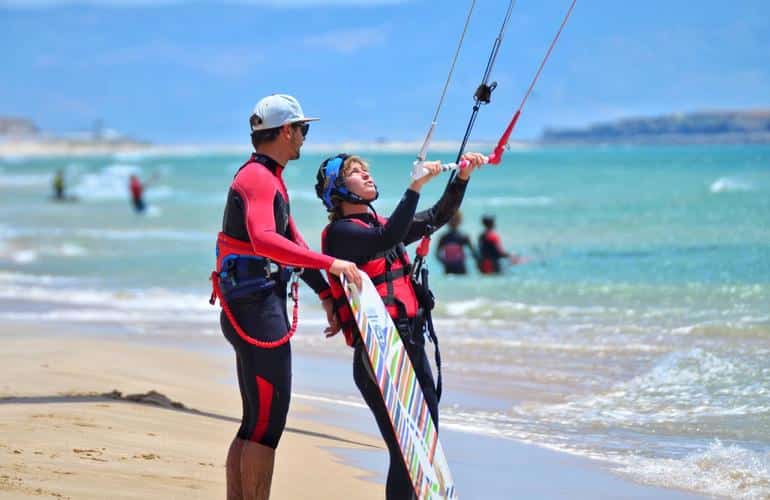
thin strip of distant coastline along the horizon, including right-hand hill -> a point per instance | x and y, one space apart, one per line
21 137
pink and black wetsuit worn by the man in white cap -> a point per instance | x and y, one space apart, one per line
257 212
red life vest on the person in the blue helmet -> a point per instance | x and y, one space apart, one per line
389 271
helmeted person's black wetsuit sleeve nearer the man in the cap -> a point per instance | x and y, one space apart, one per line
357 243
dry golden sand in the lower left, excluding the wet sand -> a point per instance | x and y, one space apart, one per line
61 437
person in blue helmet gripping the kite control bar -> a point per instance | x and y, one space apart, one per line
377 246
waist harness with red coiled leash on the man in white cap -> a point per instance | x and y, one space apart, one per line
241 273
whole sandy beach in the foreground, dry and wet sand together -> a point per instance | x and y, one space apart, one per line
72 428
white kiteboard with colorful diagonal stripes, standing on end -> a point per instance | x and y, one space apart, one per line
403 397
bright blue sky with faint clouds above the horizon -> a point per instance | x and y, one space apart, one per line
190 72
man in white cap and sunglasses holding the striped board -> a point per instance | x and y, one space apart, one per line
259 251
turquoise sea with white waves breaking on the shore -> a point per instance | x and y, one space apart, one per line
638 332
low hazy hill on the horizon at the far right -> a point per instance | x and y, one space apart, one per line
705 127
